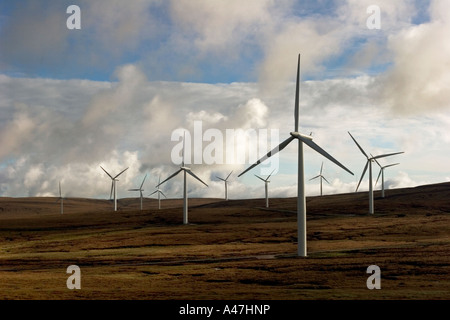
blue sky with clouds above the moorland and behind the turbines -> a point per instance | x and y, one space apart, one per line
120 91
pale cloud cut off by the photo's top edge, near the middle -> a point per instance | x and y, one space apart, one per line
223 27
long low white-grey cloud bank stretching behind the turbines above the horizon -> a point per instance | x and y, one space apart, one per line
55 138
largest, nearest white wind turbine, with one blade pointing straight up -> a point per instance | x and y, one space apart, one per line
301 201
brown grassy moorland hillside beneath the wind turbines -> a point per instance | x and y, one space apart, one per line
231 250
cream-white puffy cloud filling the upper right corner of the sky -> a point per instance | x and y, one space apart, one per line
418 80
